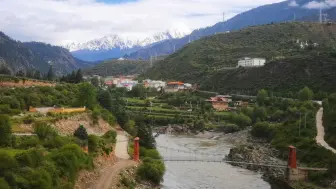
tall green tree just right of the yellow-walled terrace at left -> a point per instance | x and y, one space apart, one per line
86 95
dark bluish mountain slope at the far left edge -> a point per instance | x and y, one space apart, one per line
36 56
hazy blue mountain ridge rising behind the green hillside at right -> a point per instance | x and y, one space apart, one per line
277 12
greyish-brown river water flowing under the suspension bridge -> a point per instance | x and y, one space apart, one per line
199 175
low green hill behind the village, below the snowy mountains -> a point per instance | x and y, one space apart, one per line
118 67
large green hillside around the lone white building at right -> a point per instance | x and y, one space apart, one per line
203 61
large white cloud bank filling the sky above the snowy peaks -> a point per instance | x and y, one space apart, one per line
61 21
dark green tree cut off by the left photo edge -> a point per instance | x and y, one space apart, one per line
5 131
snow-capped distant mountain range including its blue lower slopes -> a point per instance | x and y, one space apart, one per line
114 46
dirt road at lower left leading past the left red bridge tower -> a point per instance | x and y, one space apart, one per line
110 176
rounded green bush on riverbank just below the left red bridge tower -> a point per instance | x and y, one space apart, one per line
151 170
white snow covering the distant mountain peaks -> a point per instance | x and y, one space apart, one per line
123 42
